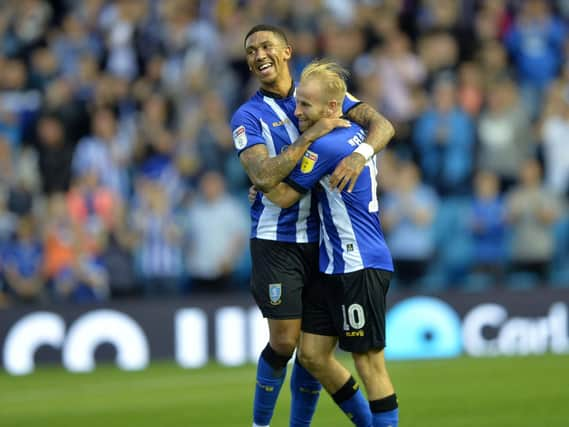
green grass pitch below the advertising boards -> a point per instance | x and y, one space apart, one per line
501 392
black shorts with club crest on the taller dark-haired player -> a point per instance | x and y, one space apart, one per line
281 271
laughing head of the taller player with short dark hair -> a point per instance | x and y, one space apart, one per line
267 57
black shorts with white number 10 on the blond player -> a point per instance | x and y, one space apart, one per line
349 306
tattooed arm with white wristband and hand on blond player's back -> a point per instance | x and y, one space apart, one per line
379 133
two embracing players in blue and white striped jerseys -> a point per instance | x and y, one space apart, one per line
315 174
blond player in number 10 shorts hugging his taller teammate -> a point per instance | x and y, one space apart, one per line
348 305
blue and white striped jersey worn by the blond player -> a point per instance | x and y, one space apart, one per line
351 236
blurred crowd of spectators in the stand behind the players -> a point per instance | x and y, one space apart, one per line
118 176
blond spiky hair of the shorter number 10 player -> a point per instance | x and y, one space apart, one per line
331 76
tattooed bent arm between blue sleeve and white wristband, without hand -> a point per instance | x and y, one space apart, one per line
379 129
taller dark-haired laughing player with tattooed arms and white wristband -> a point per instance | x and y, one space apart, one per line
284 242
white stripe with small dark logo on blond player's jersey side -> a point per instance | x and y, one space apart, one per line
341 219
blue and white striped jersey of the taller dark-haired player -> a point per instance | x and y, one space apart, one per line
268 119
